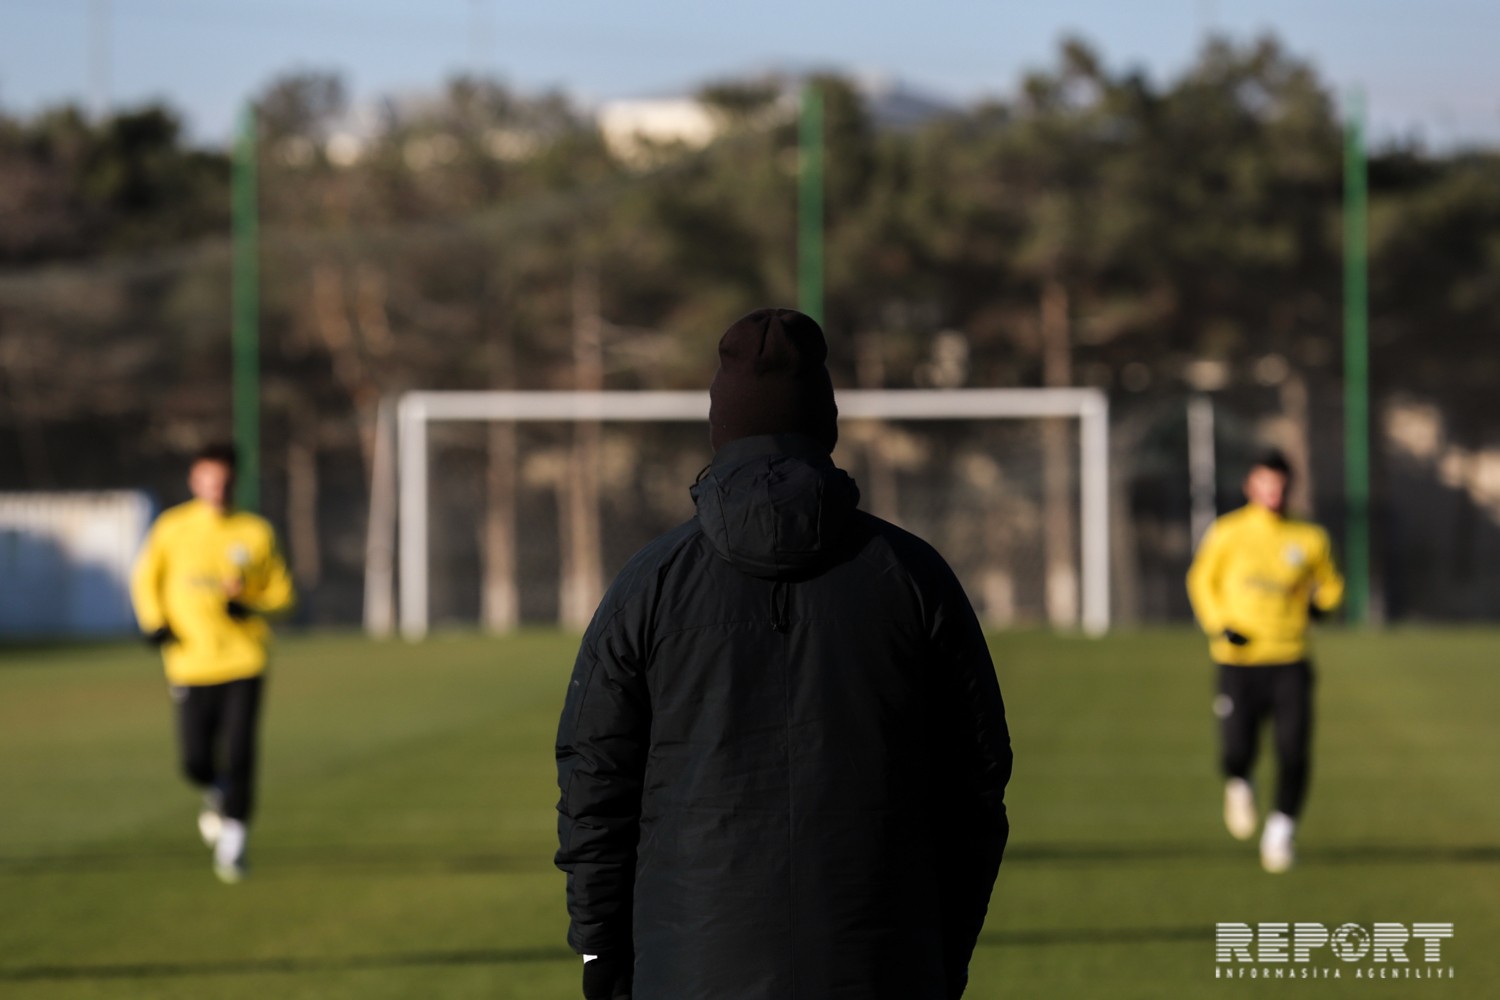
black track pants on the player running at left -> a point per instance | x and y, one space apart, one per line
217 728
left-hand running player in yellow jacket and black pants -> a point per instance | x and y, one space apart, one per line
203 587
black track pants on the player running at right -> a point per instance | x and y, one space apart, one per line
1285 693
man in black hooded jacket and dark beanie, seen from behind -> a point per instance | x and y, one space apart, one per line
784 752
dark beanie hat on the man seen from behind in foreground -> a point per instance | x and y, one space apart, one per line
773 380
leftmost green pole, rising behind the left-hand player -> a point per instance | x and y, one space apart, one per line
245 307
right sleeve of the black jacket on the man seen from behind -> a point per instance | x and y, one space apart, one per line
973 713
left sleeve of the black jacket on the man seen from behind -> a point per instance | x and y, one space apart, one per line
601 753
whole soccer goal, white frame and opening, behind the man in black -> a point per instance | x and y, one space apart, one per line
520 506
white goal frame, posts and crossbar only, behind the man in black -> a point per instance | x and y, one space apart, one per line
419 410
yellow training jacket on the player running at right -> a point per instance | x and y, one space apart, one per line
1256 573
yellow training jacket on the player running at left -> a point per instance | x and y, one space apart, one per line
191 552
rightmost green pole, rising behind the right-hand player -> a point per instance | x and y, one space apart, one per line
1357 364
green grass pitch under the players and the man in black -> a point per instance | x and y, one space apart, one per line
406 831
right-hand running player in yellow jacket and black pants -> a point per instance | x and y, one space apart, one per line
1256 581
